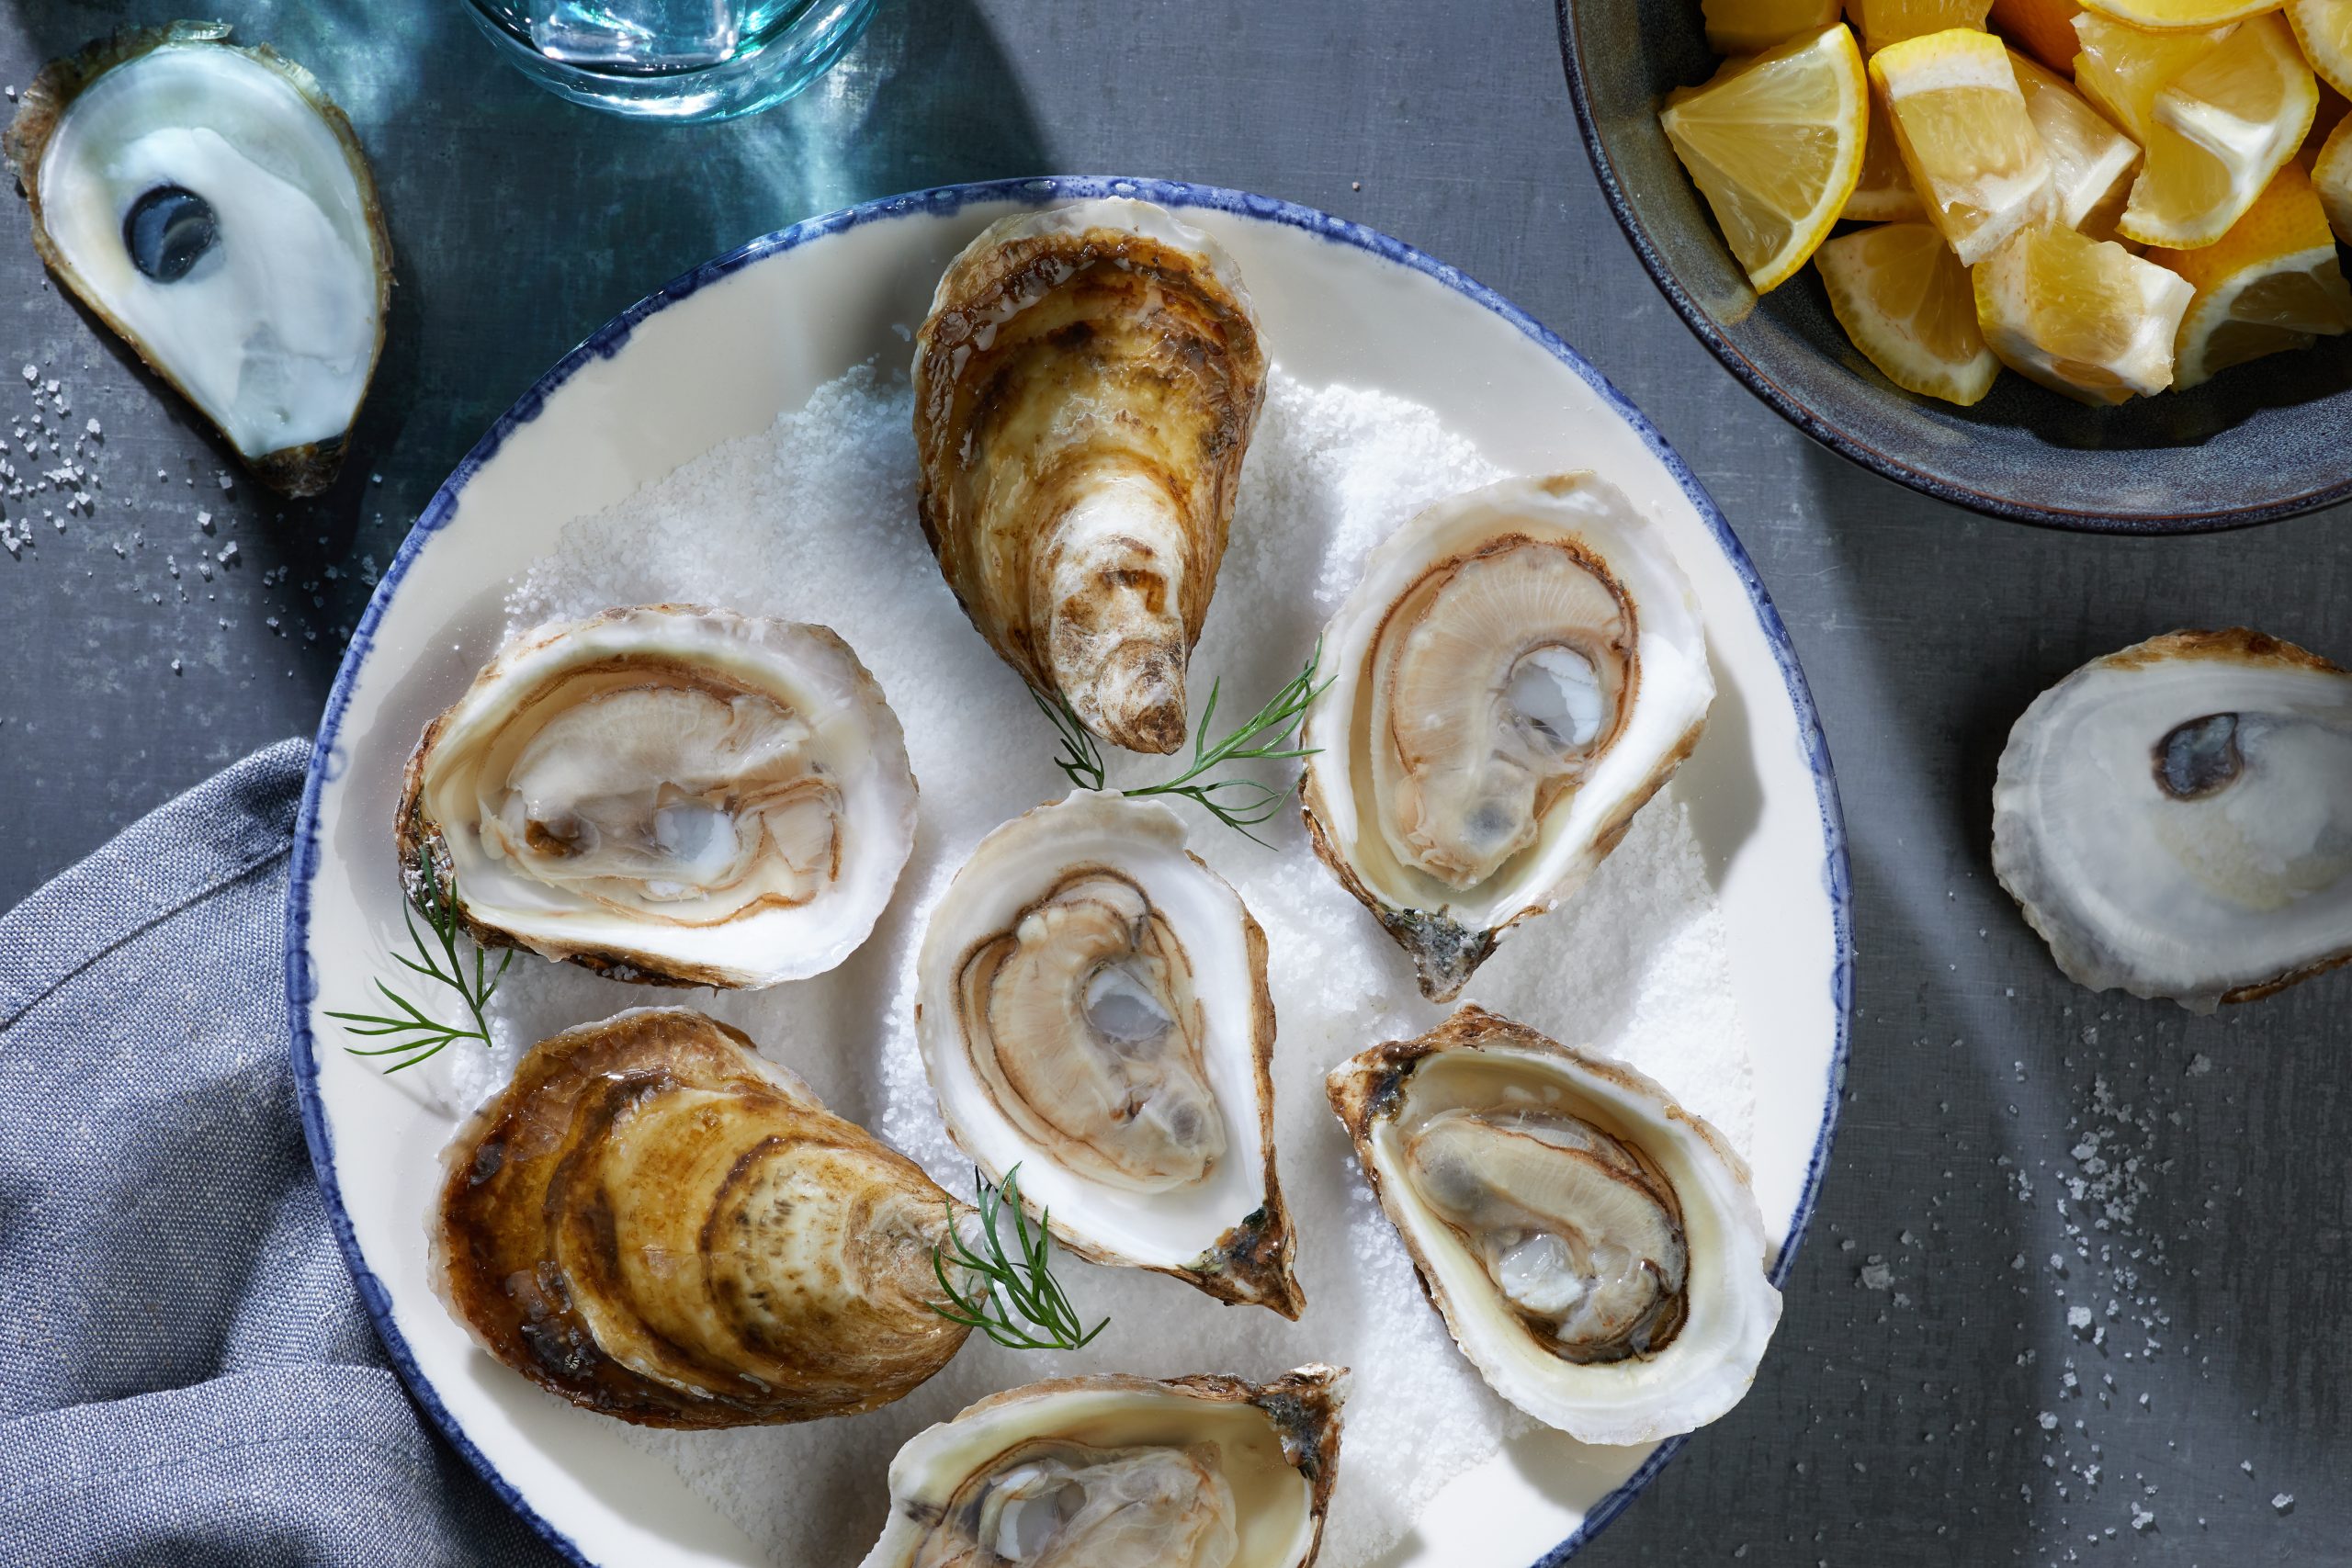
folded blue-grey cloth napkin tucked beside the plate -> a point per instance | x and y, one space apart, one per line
187 1376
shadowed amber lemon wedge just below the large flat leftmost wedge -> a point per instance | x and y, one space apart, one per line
1904 300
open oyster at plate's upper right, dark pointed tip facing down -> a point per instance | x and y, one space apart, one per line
1516 676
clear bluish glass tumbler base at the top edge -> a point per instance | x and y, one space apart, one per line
674 60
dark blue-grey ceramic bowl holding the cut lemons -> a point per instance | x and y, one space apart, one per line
2259 443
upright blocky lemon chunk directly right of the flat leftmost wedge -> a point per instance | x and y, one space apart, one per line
1965 135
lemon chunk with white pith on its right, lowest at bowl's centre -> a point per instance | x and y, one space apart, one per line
2080 316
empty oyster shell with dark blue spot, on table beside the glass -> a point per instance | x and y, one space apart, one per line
215 210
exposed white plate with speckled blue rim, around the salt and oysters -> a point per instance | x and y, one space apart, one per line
719 356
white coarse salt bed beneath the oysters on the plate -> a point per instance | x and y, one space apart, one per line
815 521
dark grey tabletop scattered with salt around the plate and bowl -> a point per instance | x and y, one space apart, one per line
2012 1146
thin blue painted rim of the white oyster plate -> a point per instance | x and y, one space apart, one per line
947 201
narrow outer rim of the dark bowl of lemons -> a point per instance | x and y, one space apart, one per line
1833 436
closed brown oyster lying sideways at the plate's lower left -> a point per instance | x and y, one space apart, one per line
662 1226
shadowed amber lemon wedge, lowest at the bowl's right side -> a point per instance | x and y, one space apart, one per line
2269 286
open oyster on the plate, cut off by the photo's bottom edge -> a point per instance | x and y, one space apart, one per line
1123 1473
